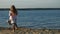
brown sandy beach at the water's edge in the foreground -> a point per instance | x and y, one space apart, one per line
22 30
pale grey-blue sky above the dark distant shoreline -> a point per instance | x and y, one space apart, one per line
30 3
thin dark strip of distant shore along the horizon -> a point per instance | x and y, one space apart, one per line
32 8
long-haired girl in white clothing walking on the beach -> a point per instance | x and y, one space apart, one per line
13 17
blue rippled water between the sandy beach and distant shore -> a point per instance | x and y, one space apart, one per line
33 18
